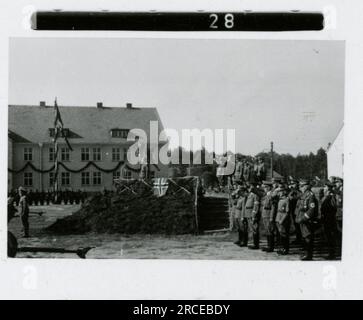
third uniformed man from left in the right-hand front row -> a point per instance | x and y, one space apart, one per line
268 218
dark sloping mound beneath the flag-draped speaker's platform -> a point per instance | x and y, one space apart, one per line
134 209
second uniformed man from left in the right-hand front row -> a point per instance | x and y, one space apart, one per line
251 213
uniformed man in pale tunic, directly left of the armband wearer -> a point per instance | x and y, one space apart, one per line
283 220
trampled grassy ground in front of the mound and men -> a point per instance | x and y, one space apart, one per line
114 246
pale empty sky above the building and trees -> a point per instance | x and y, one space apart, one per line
288 92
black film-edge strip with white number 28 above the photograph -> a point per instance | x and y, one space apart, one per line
181 21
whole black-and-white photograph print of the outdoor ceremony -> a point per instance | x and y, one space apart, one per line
151 148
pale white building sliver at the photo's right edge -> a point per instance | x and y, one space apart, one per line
335 155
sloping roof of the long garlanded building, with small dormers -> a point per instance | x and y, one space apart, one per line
86 124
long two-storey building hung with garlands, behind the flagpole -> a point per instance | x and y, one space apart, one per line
98 137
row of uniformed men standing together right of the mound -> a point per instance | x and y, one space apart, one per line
282 204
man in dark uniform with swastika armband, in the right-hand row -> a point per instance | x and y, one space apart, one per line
306 217
